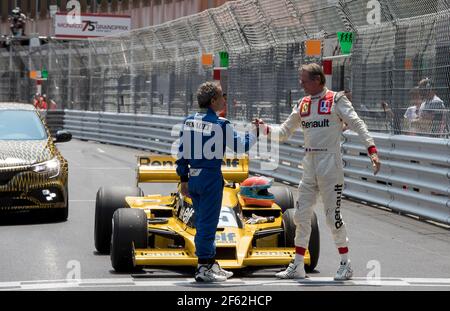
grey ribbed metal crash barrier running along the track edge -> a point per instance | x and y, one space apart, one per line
414 177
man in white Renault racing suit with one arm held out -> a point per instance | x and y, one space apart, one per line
321 115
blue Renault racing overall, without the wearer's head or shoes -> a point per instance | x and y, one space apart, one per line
203 140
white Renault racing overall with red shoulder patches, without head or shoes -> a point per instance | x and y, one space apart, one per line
321 117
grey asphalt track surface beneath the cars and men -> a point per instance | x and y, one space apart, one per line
40 255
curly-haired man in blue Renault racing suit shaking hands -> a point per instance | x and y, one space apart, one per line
203 140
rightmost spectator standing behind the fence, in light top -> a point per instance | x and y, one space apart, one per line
432 110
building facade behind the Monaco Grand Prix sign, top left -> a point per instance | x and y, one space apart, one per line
143 12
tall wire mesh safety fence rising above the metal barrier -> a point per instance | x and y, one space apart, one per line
156 70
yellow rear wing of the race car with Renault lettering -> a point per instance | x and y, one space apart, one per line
162 169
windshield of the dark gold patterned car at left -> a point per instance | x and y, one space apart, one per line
21 125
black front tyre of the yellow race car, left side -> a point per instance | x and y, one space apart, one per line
129 227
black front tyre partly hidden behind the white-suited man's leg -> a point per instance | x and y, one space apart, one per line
288 240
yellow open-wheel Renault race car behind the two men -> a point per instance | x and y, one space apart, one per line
154 230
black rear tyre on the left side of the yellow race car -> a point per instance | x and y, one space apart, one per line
108 200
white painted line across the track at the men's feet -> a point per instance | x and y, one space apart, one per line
189 282
